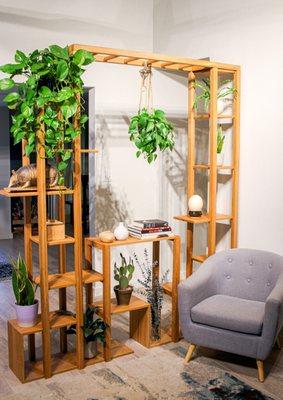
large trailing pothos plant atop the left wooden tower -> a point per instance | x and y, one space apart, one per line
49 94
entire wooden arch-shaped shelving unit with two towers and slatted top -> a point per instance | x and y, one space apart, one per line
49 364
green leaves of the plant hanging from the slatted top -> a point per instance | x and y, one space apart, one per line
150 132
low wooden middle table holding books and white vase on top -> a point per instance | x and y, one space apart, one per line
138 316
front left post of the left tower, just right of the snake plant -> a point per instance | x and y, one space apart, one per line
43 255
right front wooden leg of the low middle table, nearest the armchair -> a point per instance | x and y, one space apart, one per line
175 283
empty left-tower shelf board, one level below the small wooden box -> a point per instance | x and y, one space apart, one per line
58 281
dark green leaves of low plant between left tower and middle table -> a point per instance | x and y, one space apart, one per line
94 327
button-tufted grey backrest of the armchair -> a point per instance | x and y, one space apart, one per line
245 273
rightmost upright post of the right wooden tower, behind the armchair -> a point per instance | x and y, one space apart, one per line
236 140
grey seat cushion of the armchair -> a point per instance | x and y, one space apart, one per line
231 313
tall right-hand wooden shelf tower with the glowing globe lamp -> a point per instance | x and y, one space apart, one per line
212 217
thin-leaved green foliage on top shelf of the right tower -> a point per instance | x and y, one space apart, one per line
204 86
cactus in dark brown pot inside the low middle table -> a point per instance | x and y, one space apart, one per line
123 275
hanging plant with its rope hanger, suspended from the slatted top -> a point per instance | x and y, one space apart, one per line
149 129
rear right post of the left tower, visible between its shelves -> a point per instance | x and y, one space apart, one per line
62 270
